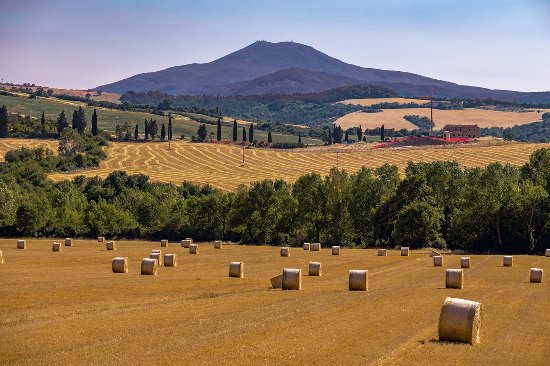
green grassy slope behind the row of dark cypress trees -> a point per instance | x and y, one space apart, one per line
108 119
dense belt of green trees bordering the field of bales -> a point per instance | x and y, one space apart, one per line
497 209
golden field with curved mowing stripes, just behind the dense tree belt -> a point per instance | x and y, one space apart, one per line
220 165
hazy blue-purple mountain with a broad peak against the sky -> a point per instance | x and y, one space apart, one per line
288 67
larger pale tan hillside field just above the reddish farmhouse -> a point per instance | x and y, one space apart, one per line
393 118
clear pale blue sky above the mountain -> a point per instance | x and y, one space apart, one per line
498 44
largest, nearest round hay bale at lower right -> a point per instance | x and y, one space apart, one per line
460 321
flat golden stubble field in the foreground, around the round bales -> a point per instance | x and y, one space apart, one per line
69 308
